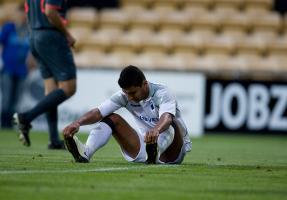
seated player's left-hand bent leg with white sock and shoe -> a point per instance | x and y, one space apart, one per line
115 125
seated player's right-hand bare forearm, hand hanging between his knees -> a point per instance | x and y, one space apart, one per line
163 124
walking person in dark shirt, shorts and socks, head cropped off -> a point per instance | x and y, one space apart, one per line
50 43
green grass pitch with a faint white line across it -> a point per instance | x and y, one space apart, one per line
218 167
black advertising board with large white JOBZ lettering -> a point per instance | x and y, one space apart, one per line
245 106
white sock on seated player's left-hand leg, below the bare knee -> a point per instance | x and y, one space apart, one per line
98 137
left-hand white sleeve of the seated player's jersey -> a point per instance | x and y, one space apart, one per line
115 102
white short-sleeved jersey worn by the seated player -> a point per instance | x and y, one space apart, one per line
147 112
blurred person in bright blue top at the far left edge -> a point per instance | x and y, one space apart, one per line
15 55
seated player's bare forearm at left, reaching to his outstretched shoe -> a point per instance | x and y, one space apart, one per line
90 117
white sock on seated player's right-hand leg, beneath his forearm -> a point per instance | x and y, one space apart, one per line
165 139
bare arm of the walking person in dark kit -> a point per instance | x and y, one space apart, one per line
55 19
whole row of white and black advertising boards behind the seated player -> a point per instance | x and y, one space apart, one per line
208 105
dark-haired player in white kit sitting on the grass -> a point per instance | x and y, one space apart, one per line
162 136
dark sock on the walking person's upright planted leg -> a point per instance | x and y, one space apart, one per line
52 119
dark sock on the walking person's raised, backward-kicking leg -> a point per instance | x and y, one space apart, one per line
50 102
